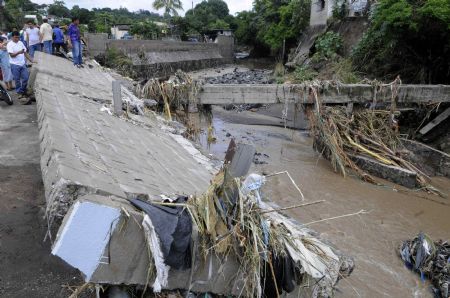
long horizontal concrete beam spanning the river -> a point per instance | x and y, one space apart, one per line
223 94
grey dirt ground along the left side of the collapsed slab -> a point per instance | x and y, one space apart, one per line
27 269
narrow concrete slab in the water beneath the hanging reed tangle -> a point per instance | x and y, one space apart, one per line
392 173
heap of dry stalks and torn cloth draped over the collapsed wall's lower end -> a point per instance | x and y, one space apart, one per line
232 221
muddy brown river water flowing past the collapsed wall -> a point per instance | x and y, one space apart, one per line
372 239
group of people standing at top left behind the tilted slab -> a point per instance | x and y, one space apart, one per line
17 47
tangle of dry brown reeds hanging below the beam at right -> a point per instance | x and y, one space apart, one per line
344 136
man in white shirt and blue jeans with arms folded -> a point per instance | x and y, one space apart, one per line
18 52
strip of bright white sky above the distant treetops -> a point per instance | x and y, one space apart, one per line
133 5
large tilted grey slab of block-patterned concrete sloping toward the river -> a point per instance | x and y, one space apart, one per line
84 150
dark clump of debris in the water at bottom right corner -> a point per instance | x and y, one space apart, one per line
431 260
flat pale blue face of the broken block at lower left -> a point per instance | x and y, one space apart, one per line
85 236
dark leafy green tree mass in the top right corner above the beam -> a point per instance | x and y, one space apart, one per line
410 38
